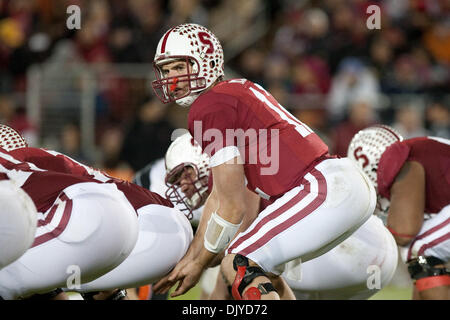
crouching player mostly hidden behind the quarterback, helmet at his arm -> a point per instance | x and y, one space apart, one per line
370 250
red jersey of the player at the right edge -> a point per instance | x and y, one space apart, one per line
433 154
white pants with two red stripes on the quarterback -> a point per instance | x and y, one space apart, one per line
334 199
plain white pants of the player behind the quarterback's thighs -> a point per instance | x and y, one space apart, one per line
357 268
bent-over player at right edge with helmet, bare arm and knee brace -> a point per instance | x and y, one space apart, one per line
412 179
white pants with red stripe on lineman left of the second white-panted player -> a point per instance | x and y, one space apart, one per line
89 230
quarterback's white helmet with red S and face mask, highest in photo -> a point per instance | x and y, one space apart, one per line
200 50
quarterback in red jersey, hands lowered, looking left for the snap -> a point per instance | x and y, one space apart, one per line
316 200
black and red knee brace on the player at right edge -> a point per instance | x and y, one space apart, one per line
425 273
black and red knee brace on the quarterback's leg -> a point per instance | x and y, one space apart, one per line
244 276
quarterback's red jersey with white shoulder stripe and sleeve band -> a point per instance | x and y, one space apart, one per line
238 117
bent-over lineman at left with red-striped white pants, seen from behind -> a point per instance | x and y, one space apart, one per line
75 219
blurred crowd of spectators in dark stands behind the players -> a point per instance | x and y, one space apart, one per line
318 58
